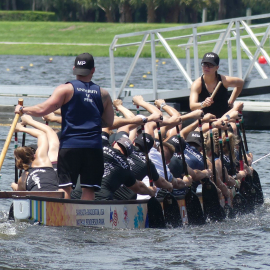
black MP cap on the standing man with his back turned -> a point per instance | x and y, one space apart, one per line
83 64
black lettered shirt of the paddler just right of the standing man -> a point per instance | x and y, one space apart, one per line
116 173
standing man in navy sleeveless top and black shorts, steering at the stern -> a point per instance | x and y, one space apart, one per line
85 109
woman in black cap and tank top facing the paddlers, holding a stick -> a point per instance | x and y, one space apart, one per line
203 87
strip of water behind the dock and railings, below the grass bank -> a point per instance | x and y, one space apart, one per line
60 70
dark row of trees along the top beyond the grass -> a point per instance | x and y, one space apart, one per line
188 11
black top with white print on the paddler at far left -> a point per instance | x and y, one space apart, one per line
42 179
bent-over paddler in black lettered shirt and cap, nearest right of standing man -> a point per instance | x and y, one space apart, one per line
117 171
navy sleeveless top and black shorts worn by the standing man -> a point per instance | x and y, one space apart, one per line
80 142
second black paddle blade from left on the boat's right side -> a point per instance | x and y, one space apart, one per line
171 211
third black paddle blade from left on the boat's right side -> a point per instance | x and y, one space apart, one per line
194 209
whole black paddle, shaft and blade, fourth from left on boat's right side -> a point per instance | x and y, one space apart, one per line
211 202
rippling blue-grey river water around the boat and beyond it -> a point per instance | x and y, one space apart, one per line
241 243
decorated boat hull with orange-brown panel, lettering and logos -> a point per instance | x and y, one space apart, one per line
105 214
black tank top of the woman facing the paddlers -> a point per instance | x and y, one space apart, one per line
220 105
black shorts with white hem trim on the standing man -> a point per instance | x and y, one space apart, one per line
86 162
